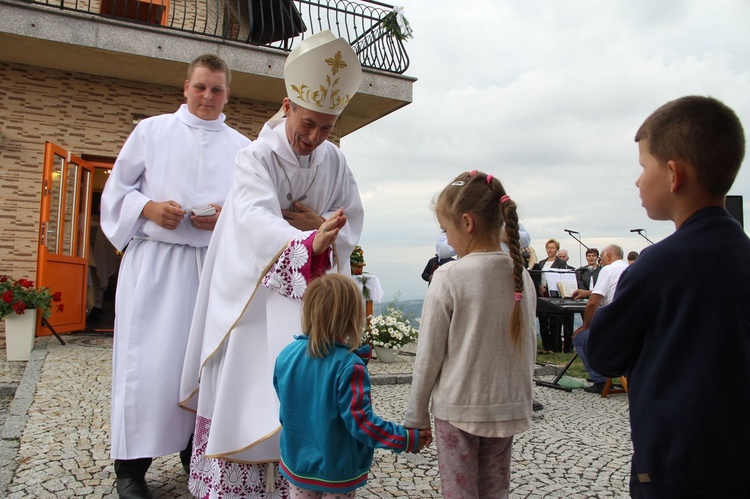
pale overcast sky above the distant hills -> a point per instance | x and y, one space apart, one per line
547 96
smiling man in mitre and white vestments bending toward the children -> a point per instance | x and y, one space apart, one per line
294 213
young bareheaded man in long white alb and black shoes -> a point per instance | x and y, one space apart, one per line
170 165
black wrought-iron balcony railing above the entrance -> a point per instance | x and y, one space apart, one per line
272 23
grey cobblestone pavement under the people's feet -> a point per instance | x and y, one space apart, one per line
56 433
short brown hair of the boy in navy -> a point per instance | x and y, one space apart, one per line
702 131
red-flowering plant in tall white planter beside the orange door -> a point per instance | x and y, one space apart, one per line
19 302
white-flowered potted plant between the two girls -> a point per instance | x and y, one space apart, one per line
389 331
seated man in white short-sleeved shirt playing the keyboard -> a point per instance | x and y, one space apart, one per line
612 267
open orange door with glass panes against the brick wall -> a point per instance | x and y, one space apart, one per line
62 264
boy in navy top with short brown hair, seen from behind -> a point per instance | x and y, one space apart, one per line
680 323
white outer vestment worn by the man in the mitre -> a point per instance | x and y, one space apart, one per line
240 324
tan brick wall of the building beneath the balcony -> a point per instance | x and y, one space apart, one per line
88 115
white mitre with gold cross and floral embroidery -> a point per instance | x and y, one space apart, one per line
322 73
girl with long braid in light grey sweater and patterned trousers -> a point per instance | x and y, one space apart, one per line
477 341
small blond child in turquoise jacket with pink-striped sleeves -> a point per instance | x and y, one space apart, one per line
329 430
